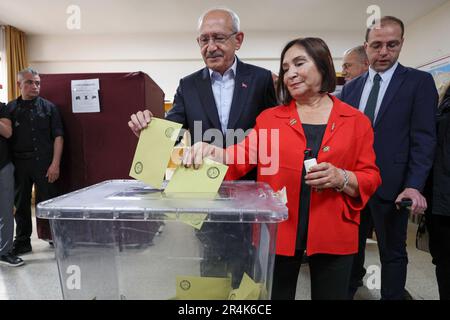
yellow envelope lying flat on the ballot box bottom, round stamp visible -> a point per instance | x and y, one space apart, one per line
202 288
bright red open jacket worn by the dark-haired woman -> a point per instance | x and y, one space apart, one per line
347 143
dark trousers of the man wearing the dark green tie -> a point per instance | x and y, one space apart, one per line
391 226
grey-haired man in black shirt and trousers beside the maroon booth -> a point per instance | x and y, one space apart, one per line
37 144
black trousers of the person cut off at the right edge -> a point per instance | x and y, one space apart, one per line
439 230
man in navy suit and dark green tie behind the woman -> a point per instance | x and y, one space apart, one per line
401 103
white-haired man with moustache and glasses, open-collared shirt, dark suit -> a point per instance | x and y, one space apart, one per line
225 95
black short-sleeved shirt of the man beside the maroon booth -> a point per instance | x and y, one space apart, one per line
36 124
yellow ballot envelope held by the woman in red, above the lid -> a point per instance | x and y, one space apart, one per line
205 180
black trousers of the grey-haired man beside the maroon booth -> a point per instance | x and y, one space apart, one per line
29 172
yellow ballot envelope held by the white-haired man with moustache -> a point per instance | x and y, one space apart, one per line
153 151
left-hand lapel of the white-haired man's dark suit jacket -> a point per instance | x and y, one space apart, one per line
208 103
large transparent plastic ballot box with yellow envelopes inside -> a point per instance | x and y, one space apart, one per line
193 246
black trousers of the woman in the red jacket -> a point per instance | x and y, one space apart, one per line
330 276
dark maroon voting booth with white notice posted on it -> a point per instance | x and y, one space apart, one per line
98 145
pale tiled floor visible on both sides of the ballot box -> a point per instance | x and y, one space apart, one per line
39 279
